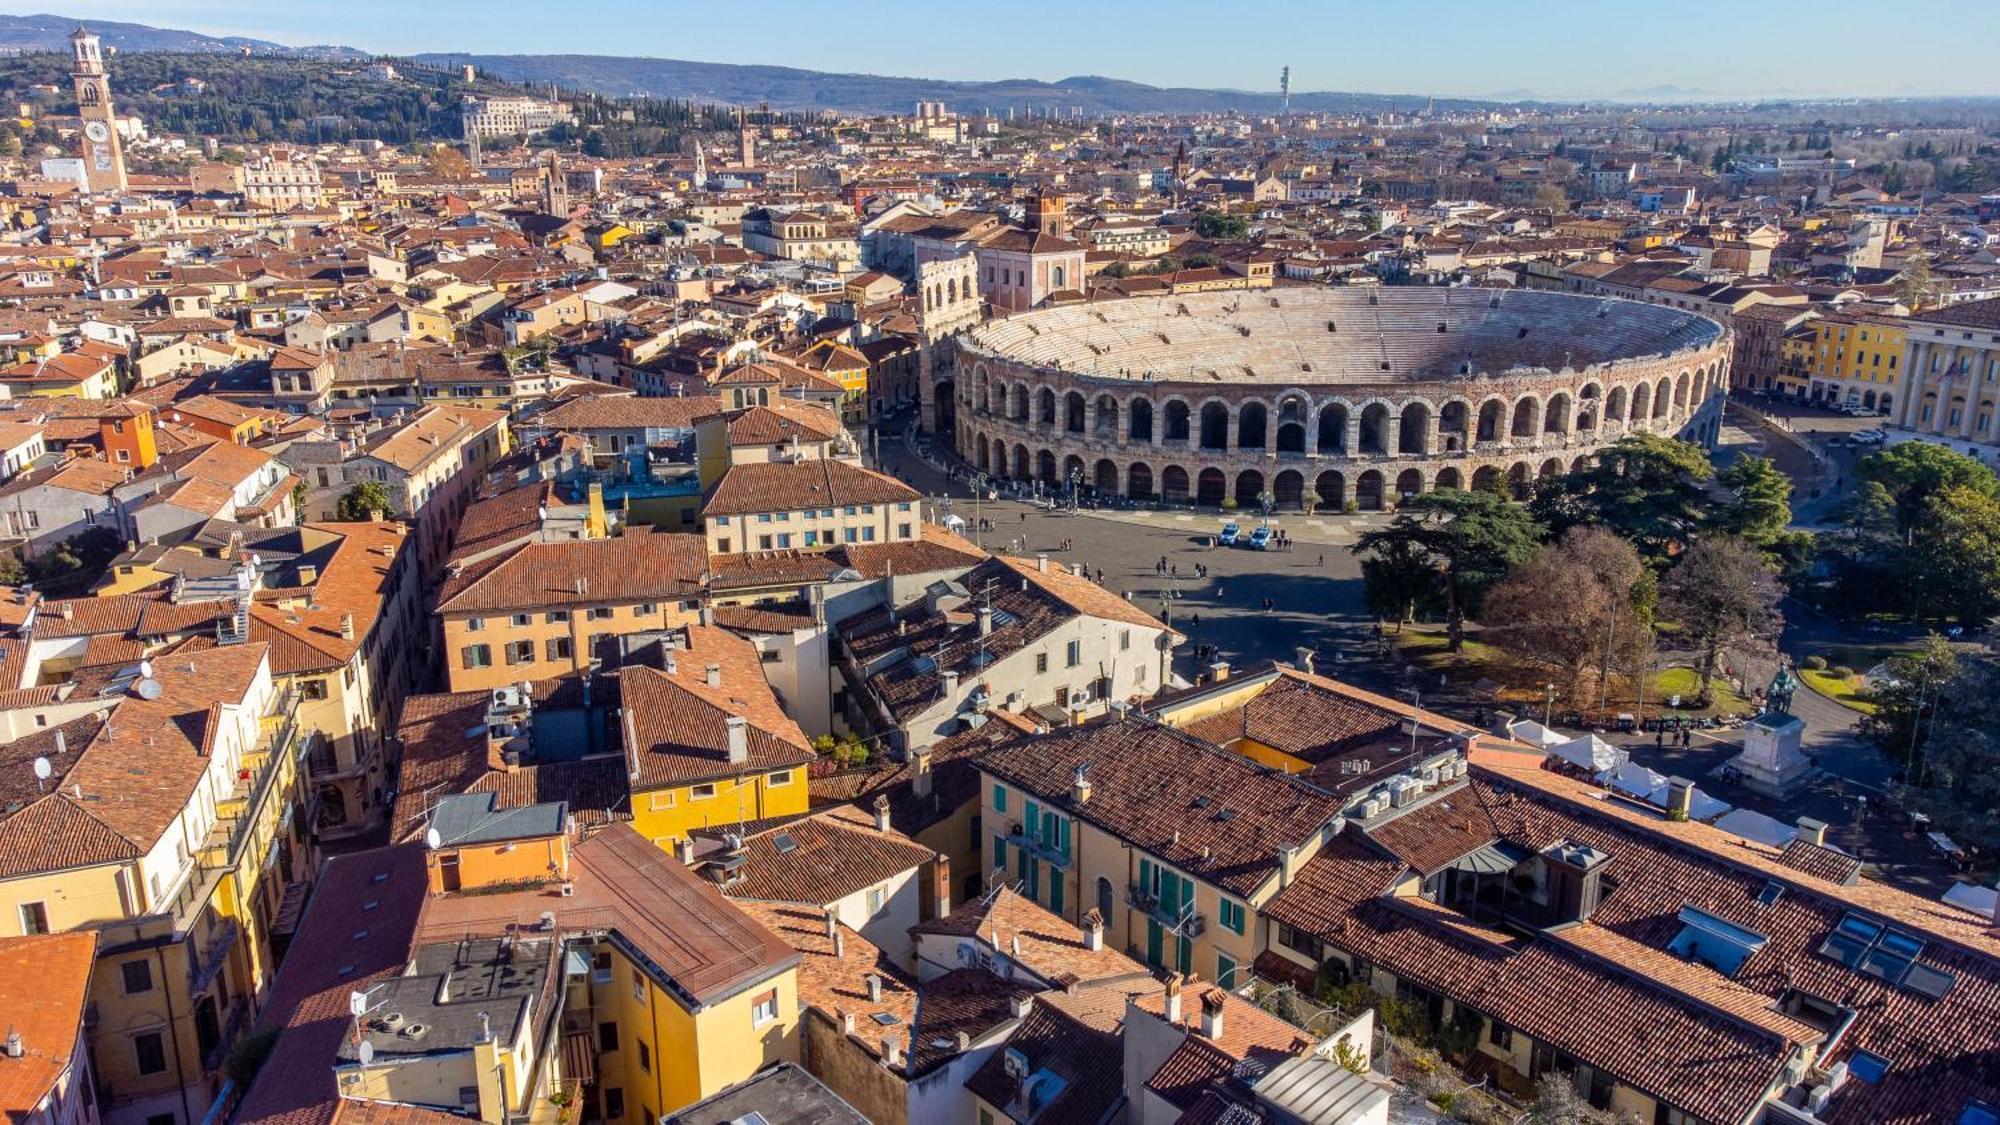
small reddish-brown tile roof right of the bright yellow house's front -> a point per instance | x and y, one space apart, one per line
829 858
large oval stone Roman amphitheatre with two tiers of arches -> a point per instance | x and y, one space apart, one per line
1339 397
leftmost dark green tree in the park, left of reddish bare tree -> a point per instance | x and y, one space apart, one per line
1467 539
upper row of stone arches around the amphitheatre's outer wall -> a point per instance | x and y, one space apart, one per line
1297 425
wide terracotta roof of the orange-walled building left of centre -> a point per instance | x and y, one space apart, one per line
635 568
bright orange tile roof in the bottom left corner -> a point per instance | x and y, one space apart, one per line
43 986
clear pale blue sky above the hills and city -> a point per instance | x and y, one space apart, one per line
1443 47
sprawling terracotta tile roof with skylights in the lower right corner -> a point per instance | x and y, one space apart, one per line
1611 994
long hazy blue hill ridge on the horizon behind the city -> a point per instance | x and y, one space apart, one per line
789 89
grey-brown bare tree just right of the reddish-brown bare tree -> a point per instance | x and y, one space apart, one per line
1723 598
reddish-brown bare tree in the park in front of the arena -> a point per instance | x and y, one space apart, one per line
1581 604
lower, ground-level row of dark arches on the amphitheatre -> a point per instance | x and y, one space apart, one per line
1289 489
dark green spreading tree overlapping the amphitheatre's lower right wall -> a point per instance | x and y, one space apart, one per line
1647 489
